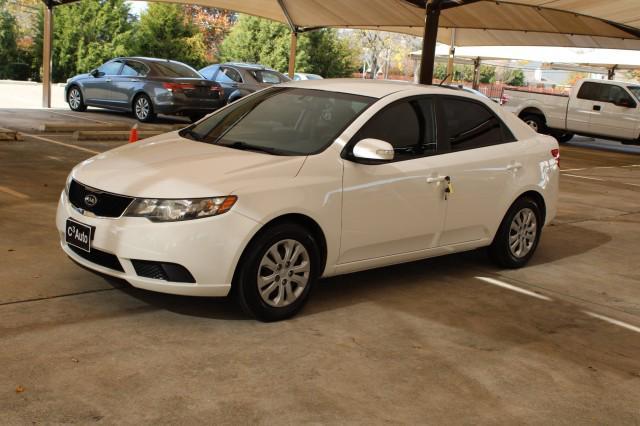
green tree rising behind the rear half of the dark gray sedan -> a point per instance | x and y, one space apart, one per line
164 32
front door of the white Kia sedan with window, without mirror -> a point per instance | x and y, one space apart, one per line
396 207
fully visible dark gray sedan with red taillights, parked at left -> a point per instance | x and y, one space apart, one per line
146 87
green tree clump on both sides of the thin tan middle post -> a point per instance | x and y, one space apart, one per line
257 40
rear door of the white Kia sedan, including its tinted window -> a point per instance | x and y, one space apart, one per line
482 163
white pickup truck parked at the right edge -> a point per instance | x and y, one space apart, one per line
600 108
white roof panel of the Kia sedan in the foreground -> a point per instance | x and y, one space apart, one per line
372 88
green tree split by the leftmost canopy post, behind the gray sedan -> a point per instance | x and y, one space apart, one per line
86 34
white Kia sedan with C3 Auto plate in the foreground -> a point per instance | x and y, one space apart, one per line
307 180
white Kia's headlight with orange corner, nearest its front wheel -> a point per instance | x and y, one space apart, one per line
161 210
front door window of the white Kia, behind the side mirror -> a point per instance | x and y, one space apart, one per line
407 125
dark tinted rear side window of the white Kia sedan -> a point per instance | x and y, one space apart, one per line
471 125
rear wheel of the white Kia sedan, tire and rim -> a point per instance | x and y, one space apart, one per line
518 235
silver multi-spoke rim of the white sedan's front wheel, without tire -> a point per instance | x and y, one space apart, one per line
283 273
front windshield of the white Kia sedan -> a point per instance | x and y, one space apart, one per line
283 121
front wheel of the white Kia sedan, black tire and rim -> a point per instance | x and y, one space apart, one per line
277 272
